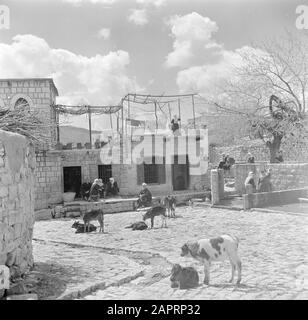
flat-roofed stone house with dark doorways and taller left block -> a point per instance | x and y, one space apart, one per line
59 171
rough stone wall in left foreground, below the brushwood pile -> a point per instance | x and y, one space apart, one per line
17 178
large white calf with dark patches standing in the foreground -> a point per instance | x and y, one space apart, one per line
215 249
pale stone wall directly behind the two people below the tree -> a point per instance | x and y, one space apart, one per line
284 175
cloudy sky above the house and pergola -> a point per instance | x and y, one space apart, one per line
98 50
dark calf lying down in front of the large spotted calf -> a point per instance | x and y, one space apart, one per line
184 277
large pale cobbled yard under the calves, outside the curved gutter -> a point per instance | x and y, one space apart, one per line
273 248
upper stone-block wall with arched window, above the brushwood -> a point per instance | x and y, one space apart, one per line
40 95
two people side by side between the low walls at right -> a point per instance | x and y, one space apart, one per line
264 182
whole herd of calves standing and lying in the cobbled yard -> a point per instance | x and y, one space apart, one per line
204 250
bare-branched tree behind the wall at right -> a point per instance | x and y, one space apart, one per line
270 90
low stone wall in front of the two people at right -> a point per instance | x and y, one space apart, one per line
265 199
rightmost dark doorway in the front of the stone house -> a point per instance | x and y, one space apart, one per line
180 173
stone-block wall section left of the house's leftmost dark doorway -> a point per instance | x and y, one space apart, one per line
48 186
